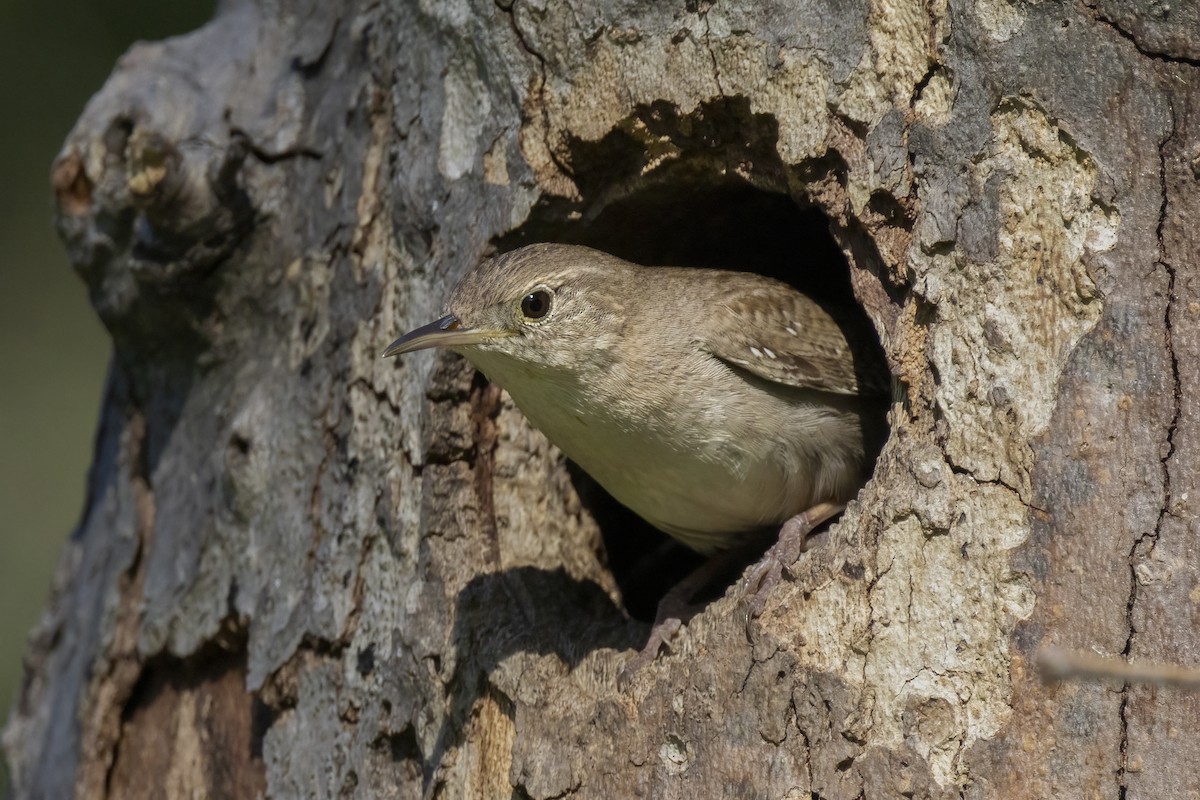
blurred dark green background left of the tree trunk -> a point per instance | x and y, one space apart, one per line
55 55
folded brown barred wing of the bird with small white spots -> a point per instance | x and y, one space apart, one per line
783 336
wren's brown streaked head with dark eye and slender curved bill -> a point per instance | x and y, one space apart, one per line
543 308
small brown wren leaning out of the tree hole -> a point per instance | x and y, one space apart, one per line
711 404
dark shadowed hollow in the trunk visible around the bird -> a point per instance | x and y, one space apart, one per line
704 222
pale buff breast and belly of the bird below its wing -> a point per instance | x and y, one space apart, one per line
701 482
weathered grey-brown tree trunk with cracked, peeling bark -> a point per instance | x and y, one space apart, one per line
309 573
